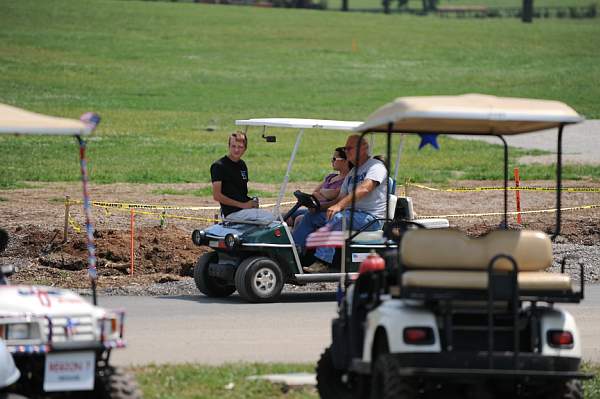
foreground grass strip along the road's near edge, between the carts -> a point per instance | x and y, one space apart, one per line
229 381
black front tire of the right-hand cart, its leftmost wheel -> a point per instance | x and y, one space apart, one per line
333 383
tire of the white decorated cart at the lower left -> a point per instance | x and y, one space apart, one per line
115 383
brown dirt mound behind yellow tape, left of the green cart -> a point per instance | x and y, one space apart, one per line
160 255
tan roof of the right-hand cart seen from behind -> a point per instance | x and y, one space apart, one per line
469 114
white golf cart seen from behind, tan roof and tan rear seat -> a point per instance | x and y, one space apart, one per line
444 315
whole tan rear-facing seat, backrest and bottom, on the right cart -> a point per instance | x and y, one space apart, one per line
447 263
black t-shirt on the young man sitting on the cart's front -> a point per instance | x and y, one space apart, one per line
234 181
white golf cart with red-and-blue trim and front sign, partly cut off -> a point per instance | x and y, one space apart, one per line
60 342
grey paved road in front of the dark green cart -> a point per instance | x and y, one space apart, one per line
199 329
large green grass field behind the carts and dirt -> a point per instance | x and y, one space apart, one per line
159 73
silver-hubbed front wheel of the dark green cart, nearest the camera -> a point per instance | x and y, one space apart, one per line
259 279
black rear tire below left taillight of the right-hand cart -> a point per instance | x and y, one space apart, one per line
387 382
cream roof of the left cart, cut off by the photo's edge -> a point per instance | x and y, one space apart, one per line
14 120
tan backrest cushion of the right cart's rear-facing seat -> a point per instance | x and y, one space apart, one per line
452 249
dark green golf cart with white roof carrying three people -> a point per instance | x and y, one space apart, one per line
258 259
